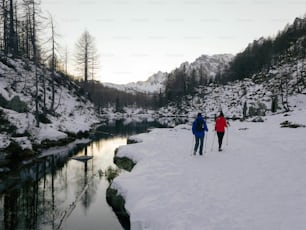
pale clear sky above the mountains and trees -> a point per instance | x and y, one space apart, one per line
137 38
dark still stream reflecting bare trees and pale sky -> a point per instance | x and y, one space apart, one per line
59 192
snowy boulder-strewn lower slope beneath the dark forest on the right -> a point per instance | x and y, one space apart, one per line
280 85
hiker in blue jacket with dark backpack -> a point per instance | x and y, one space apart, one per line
199 128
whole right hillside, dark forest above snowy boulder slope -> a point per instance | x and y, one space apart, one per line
264 78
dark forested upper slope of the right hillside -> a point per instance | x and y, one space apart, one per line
264 54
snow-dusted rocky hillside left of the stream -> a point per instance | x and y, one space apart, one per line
73 114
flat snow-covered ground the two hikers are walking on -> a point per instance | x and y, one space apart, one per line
257 182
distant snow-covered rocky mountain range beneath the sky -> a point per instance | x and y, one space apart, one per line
206 66
